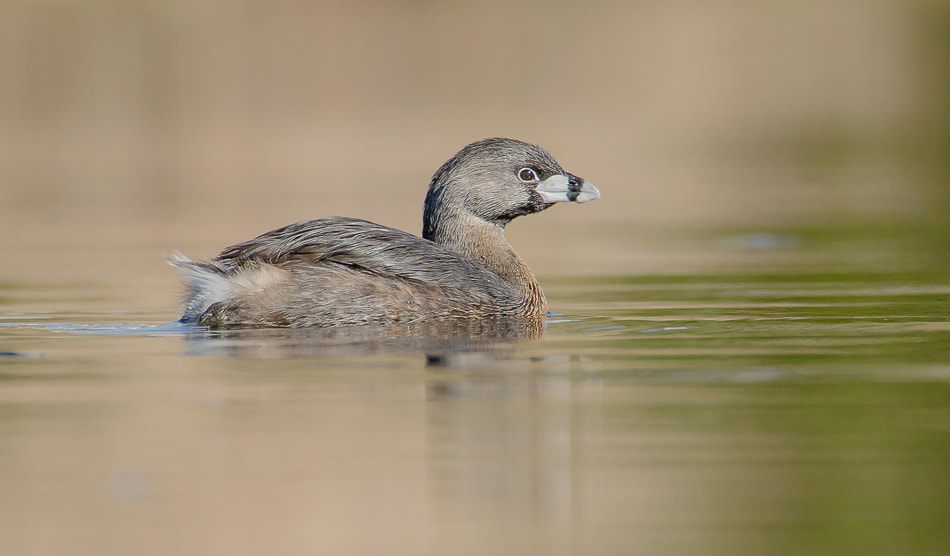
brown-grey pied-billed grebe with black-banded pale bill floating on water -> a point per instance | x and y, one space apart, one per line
340 271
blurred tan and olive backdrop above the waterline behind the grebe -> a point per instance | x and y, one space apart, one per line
129 129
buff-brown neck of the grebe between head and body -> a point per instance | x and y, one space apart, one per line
485 244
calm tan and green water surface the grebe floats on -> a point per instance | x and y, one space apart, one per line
708 414
